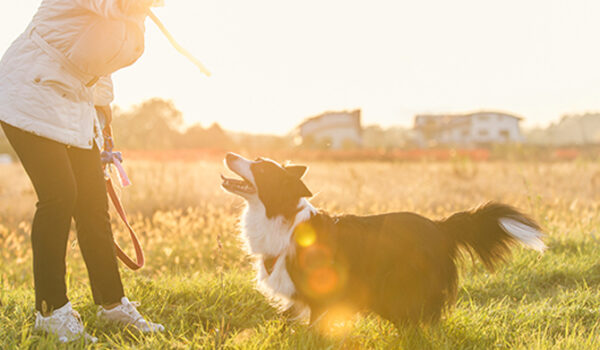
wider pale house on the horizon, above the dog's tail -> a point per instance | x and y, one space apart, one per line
471 129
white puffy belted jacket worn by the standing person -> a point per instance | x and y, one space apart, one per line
59 68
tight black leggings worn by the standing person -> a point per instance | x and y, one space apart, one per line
69 183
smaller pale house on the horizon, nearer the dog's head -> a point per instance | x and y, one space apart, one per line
332 130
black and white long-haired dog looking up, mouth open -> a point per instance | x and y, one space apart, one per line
399 265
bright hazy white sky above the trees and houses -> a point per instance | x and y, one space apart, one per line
277 62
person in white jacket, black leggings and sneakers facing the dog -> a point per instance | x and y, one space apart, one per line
52 79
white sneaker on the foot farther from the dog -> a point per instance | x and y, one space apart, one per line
65 323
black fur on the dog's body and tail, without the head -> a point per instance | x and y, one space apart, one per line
400 265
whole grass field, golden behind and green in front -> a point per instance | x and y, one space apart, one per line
198 281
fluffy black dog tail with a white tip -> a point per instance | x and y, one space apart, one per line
490 230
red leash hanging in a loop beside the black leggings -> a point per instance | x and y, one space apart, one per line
109 157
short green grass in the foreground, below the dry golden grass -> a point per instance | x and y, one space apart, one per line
533 303
